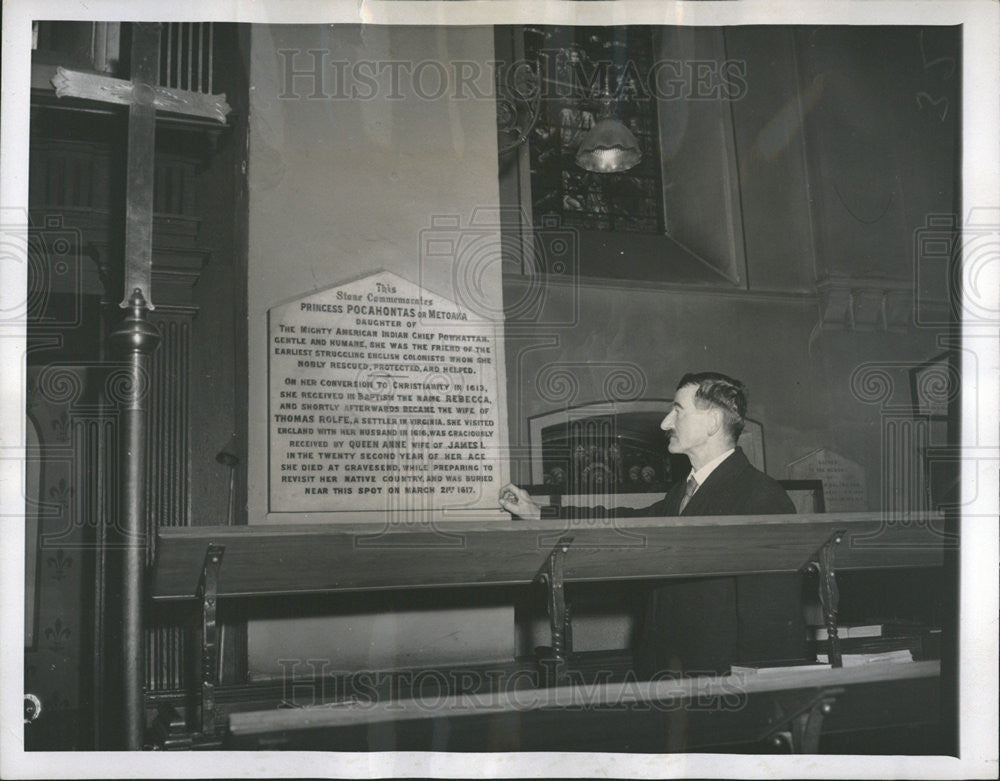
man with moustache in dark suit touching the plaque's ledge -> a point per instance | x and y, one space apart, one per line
704 625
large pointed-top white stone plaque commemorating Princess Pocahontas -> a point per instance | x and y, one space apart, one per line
383 395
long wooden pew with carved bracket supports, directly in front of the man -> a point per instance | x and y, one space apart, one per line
222 562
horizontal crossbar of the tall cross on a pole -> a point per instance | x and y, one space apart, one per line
91 86
